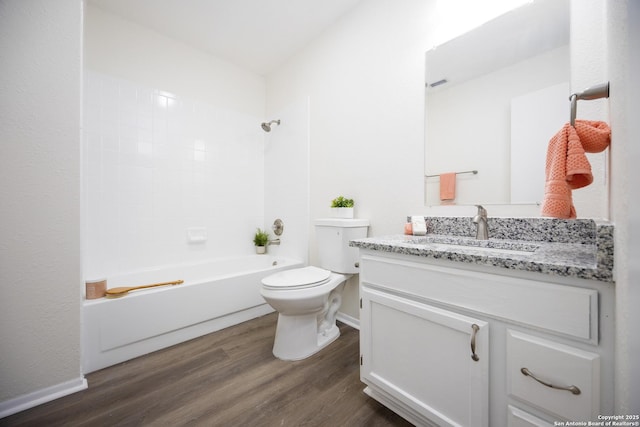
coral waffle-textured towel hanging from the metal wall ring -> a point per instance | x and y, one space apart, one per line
567 166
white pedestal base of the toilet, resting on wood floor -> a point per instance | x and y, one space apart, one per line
297 337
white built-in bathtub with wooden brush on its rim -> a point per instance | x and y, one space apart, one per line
214 295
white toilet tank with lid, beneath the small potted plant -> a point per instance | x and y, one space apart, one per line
332 239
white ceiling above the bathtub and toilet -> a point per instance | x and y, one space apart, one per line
255 34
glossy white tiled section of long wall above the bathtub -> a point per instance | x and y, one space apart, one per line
157 166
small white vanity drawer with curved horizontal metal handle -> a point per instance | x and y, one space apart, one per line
577 371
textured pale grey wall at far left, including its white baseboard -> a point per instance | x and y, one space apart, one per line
40 269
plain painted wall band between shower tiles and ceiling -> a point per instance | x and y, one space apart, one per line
124 50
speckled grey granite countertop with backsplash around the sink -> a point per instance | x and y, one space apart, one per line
572 248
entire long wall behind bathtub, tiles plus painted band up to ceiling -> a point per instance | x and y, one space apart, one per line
173 143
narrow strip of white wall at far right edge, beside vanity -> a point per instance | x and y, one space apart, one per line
623 59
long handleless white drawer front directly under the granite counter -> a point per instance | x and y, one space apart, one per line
566 310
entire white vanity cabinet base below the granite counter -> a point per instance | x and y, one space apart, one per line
449 345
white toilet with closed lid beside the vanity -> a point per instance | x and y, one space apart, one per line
307 299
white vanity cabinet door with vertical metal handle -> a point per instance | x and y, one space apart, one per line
419 357
